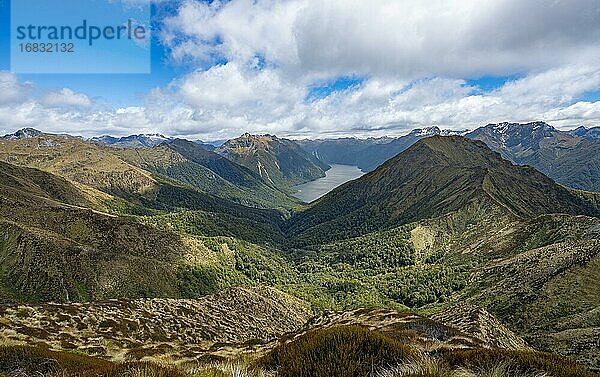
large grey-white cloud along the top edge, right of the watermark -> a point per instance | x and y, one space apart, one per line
404 38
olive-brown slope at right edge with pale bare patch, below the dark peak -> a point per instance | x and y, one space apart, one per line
538 276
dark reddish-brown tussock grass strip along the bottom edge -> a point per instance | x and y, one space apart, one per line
340 351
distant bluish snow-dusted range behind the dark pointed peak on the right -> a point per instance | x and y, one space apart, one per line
568 157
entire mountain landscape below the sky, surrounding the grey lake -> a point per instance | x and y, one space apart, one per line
456 251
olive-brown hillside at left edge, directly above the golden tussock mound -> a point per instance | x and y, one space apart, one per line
53 247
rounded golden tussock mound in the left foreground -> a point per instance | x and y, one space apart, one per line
216 325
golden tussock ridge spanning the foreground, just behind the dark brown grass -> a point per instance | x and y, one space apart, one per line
258 319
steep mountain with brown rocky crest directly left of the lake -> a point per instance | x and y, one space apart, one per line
279 162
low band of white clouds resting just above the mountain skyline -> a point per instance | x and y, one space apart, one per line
227 100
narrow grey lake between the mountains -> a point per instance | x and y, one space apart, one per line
334 177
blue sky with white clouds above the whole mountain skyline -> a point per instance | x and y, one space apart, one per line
328 68
